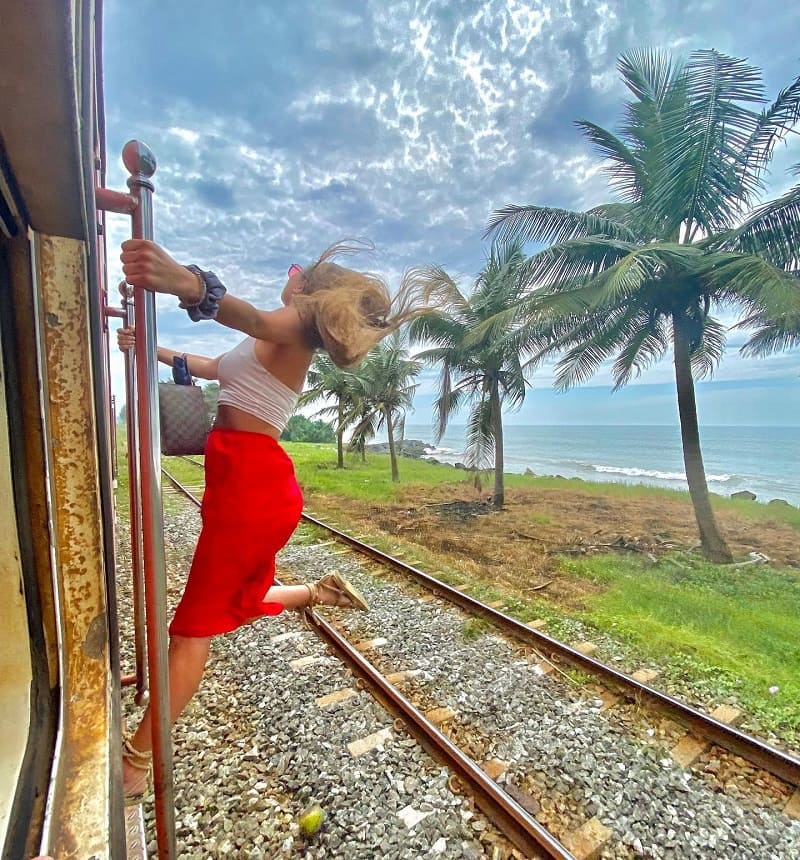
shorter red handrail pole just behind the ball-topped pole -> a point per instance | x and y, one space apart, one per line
135 498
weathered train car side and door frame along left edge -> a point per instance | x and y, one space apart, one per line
60 780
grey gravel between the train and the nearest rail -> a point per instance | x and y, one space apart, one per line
253 749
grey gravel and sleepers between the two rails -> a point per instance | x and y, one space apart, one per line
556 743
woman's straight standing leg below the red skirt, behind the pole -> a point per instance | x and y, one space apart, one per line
187 662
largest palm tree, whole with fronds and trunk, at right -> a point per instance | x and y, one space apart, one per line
631 277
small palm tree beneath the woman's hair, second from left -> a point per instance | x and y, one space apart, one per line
386 391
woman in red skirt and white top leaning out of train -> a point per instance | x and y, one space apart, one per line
252 502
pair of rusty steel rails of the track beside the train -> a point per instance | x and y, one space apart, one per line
510 813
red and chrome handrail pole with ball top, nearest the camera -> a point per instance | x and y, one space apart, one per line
141 164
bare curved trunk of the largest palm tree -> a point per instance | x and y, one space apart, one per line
711 540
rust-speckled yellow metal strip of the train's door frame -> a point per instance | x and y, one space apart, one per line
61 269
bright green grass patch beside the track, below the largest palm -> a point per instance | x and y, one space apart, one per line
742 623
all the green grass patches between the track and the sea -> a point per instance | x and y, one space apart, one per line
732 631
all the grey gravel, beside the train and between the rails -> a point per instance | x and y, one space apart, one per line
254 747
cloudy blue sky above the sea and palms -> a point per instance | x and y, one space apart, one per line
280 127
